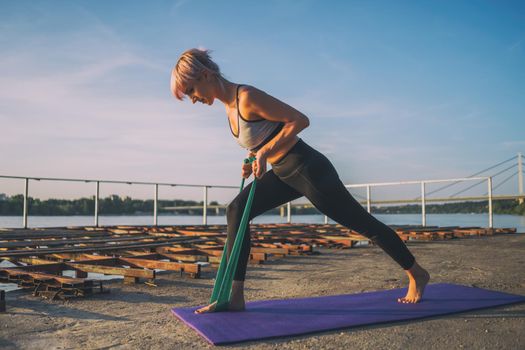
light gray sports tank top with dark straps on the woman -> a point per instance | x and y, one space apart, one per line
253 134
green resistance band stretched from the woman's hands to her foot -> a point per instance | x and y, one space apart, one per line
224 280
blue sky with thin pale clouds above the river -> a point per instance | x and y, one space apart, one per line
395 90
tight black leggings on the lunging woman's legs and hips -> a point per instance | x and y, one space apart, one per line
304 171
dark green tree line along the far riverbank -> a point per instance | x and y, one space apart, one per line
115 205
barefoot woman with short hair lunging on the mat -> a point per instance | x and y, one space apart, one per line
268 128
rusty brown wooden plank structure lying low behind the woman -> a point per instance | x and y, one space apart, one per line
44 257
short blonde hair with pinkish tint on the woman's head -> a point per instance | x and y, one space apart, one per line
190 66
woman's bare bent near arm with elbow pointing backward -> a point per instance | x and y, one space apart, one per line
255 103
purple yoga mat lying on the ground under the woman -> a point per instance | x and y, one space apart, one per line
273 318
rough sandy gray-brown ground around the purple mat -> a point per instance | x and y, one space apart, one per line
138 316
